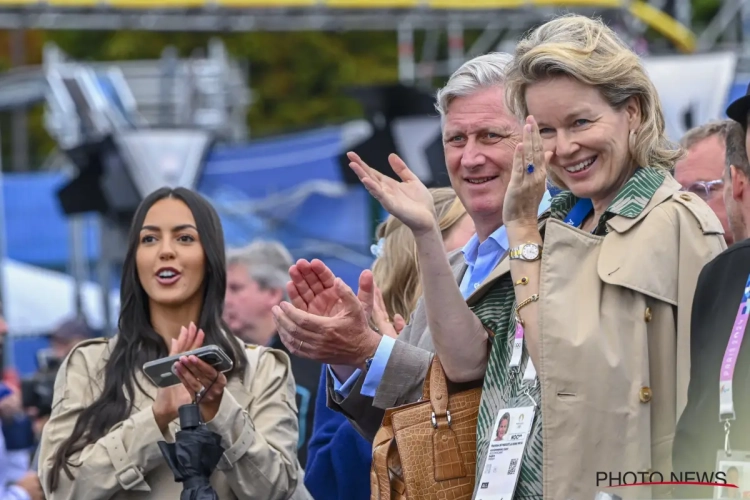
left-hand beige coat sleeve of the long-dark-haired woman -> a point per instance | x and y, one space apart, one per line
115 462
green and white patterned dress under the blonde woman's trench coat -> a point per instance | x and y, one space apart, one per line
503 386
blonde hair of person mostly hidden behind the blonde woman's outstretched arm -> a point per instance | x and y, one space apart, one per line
396 270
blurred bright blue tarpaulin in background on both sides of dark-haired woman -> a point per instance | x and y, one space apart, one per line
288 188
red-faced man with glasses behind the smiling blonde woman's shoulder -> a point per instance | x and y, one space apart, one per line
702 169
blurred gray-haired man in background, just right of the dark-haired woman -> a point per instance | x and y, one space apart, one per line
256 281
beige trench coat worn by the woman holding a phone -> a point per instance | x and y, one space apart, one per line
257 420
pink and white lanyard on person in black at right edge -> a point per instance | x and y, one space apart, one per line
726 401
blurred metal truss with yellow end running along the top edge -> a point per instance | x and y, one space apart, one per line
499 16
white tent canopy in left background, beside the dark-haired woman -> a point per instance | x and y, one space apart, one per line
37 300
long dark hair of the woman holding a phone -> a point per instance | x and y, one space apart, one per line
137 342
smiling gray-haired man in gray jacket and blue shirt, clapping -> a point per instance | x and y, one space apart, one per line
370 373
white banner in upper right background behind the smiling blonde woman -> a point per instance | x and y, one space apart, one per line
693 89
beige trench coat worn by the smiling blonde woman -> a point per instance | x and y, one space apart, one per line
614 321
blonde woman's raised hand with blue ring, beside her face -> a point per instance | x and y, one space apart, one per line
526 189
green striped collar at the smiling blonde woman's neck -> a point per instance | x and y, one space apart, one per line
629 202
